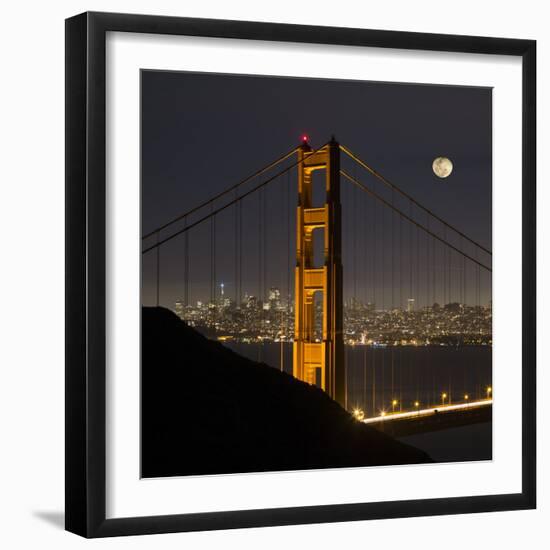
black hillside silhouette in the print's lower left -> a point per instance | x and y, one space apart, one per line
208 410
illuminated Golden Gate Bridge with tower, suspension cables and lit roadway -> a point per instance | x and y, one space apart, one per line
352 240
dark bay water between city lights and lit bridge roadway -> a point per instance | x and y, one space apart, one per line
376 377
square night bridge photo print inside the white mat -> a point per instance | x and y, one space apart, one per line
316 273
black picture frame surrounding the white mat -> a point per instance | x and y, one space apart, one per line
85 274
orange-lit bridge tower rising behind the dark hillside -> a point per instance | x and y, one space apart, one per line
319 360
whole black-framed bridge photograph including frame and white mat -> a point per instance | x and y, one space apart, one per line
300 274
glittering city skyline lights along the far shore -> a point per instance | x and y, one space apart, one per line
271 317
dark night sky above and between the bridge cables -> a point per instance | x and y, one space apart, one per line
203 132
